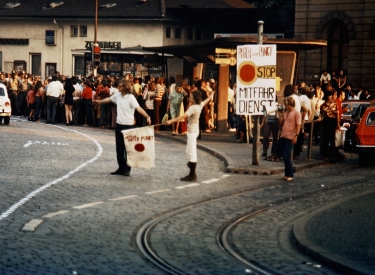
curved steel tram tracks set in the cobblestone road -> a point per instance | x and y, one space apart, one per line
224 232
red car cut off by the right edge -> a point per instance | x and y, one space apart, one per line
365 136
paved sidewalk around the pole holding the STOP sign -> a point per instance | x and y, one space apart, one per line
238 157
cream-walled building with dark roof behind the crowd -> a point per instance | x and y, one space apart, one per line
41 37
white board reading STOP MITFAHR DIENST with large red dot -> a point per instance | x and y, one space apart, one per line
256 78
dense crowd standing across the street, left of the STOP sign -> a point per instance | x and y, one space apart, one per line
71 100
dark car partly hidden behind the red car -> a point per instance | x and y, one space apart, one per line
351 119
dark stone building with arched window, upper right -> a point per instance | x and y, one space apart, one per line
349 28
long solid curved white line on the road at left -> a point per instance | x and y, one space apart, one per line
15 206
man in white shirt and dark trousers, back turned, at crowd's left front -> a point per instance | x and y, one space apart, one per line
54 92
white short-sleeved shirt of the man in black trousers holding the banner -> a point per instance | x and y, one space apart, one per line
126 106
